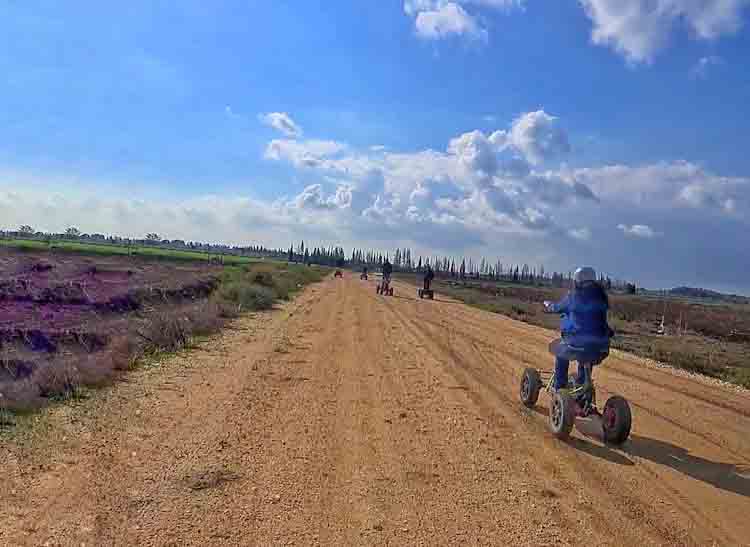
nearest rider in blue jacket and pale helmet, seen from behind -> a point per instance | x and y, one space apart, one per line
584 328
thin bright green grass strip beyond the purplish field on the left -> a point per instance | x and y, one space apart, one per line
106 249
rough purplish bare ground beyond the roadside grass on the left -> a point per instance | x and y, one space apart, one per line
63 312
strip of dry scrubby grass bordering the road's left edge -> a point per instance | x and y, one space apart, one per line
169 328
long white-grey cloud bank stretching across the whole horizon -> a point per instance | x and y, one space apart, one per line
483 194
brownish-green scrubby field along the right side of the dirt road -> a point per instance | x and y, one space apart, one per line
710 338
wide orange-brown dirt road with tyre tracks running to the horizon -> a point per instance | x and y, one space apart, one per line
352 419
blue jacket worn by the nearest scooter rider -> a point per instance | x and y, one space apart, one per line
584 321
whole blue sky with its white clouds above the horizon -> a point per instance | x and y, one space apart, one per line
599 131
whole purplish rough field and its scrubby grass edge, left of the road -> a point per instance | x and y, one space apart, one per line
91 330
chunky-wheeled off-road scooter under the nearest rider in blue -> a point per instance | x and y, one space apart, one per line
577 405
